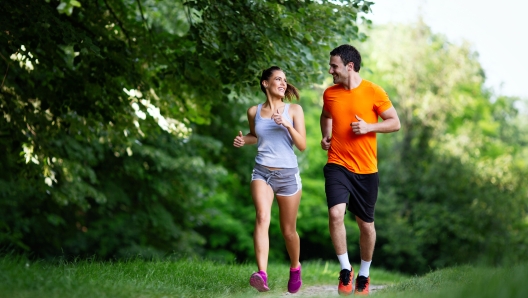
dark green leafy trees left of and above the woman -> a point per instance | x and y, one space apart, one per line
118 118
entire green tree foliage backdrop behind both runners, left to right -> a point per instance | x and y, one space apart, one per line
118 120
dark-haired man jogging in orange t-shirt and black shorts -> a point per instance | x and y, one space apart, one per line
349 123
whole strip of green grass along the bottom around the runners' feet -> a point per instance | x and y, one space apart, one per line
20 277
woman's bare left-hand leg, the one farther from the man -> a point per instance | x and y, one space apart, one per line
263 200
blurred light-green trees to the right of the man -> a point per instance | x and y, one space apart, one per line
451 184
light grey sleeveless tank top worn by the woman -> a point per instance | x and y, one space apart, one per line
274 142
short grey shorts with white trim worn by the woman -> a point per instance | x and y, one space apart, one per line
284 182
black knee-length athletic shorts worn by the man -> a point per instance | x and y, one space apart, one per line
358 191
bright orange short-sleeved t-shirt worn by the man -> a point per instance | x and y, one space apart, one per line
357 153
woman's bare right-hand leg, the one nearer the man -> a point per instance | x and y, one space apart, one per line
288 208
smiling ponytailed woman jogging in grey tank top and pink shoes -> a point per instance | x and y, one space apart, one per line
275 127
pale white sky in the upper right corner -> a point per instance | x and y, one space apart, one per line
498 31
